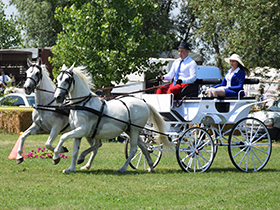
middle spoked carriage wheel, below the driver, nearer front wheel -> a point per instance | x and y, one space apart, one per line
195 150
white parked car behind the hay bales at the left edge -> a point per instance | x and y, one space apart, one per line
17 99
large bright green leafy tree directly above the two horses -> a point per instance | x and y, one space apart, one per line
108 37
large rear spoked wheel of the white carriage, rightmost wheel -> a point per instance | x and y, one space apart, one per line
249 145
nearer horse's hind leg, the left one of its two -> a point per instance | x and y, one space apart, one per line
133 148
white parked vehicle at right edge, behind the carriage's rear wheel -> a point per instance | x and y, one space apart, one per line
271 118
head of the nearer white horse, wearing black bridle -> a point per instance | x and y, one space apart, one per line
64 83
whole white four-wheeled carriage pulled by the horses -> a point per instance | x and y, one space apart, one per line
198 125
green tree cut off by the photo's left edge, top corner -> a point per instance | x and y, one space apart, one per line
9 32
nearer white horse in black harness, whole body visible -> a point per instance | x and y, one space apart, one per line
107 121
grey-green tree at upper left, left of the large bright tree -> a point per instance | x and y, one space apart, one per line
37 21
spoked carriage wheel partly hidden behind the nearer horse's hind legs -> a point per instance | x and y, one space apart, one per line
139 160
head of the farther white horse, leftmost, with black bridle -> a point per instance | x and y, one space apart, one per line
33 76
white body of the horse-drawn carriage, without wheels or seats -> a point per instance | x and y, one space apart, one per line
196 110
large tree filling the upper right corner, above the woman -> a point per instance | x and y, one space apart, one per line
249 28
